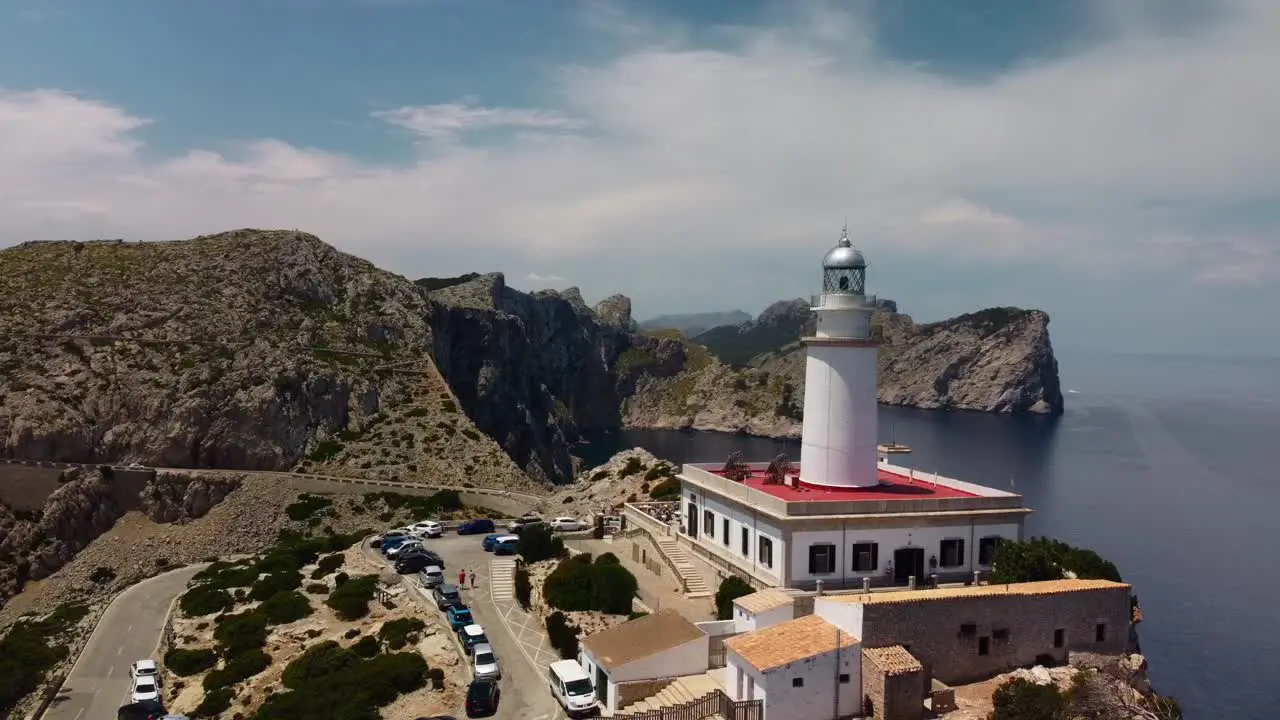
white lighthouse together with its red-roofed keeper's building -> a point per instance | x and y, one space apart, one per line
844 516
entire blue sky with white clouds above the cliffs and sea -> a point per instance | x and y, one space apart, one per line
1112 162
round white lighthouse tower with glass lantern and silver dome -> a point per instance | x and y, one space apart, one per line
839 448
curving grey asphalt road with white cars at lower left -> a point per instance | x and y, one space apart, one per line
130 630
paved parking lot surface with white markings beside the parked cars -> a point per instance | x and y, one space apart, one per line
518 640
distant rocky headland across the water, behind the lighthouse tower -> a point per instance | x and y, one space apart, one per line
998 361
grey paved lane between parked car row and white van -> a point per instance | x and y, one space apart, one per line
524 683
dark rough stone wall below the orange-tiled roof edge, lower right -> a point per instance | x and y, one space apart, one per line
948 635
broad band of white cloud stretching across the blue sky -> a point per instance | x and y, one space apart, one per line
767 142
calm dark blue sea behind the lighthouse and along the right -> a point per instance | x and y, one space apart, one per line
1167 466
